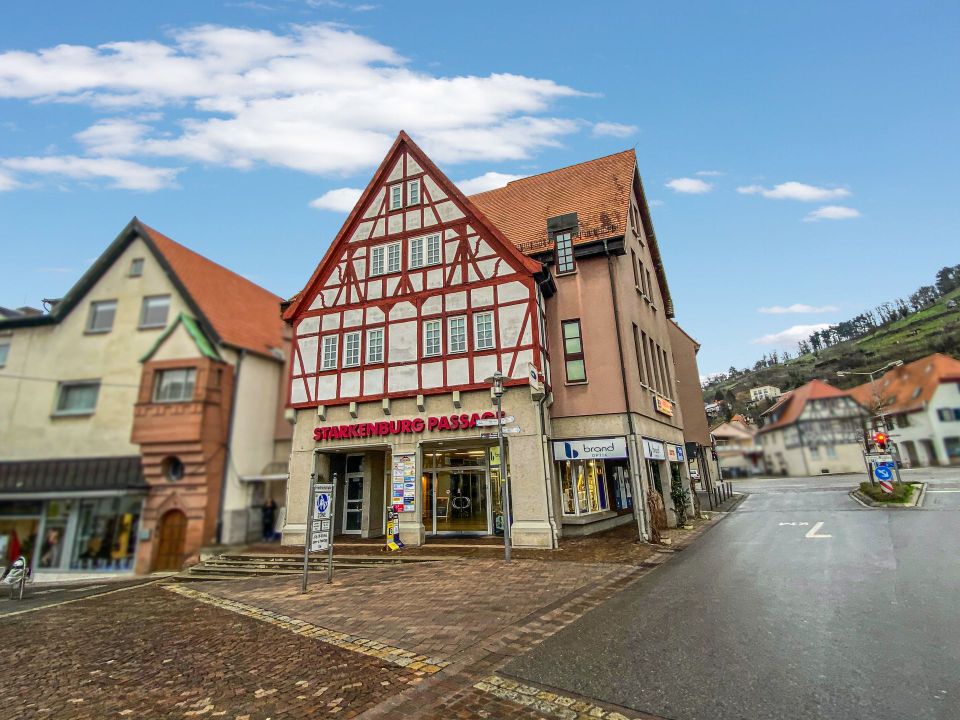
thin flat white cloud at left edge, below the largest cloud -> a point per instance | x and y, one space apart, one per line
122 173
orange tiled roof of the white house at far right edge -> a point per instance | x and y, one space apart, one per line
908 387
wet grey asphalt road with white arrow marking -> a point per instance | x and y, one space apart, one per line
800 604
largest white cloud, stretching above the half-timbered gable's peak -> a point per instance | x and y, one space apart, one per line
318 98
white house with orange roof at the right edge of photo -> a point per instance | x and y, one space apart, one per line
920 402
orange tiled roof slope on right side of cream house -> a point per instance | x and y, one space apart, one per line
241 312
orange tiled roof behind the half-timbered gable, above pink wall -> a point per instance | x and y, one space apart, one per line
597 190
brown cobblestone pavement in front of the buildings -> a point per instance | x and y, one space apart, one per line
424 641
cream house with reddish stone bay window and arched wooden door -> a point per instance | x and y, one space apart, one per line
134 413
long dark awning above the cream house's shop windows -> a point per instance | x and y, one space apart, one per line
72 475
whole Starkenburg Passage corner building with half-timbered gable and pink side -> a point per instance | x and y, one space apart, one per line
556 282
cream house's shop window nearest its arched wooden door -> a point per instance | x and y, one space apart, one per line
106 534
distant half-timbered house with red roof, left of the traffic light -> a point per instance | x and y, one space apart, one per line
815 429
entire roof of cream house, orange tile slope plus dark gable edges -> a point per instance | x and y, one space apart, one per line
231 309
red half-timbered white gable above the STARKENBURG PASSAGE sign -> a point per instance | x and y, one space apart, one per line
476 271
